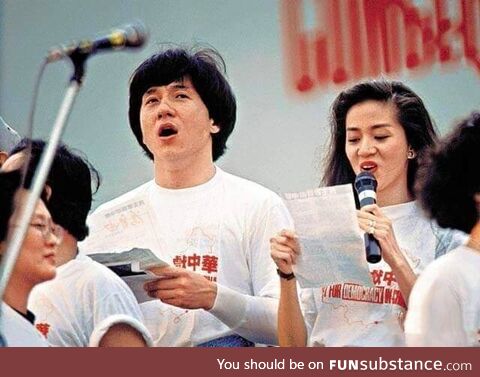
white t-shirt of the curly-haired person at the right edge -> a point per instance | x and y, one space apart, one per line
444 306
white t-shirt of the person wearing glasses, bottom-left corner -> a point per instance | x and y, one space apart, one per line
17 331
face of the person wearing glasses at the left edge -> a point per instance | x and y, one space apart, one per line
36 261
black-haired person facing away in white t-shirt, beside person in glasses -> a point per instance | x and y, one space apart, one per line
86 304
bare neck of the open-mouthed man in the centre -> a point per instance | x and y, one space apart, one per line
183 174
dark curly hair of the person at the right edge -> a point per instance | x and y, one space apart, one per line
450 177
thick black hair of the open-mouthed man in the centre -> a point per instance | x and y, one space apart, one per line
206 69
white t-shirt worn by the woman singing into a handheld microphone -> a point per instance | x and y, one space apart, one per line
348 314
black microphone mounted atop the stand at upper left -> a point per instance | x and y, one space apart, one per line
128 36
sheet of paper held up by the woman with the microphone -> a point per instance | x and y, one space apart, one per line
332 244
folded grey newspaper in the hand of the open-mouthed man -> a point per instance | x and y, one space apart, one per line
132 266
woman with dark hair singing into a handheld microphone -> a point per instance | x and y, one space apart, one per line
382 127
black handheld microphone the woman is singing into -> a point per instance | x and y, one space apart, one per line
366 185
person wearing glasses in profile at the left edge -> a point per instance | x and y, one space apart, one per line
34 265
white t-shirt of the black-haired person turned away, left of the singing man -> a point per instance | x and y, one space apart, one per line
83 301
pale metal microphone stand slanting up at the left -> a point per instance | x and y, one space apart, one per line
15 242
